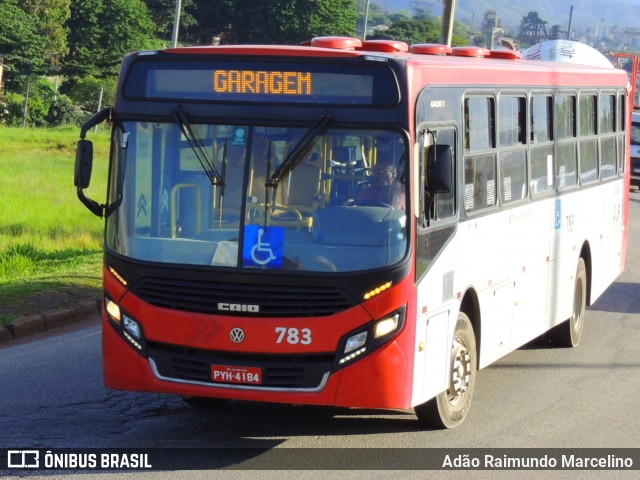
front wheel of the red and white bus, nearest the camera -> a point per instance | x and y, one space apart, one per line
449 408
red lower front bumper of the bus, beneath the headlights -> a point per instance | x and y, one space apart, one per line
381 379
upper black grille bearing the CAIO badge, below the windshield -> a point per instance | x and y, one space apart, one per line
272 300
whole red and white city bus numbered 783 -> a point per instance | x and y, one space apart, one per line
352 224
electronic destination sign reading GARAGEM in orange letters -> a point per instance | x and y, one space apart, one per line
242 81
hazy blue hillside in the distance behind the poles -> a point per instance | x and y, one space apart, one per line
586 13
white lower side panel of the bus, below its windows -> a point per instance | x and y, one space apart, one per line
521 263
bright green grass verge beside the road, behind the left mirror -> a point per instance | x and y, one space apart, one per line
50 244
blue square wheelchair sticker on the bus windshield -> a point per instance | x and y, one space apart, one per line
263 246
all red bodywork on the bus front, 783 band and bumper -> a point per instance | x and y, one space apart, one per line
382 379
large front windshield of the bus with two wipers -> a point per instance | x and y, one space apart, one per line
338 205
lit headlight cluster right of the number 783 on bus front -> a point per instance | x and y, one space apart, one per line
368 338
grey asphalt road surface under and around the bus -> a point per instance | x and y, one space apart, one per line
52 397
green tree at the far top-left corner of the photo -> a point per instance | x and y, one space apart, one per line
20 45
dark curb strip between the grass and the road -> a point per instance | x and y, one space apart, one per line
32 324
